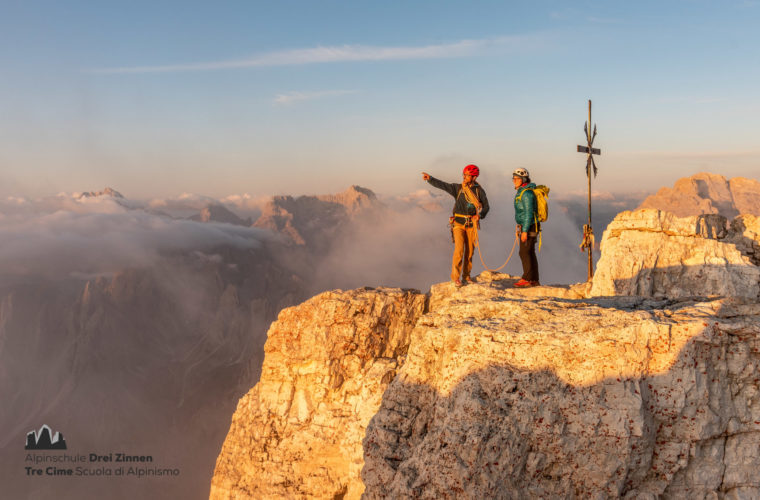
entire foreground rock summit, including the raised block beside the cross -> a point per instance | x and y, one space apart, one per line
507 393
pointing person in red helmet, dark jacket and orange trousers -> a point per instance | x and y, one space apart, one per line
470 207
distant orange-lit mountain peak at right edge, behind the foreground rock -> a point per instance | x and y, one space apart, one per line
706 193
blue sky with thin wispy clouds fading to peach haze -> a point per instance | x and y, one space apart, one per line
160 98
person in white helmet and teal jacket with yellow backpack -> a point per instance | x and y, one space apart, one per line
530 211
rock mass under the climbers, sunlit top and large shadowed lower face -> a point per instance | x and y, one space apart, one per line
508 396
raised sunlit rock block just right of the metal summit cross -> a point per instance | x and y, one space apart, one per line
657 254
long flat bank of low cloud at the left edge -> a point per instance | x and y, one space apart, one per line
63 236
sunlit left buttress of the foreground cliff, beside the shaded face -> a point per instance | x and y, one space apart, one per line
298 432
